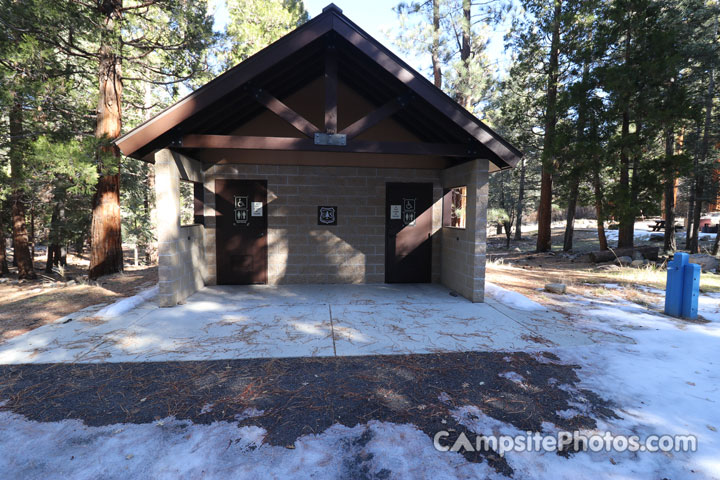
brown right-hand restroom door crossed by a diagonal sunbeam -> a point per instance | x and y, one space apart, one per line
408 232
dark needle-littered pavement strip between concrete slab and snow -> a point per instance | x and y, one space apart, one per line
300 396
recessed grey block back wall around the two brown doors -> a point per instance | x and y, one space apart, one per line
299 250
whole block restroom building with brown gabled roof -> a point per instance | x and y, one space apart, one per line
324 158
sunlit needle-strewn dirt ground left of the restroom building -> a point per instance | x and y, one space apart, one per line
26 305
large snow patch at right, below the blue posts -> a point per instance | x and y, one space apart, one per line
667 382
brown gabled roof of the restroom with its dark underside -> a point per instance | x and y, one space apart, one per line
298 58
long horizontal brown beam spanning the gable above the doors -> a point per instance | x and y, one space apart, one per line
355 146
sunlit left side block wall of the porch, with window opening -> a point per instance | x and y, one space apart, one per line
181 253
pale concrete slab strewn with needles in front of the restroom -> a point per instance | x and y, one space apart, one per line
226 322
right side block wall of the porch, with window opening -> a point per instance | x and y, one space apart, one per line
463 250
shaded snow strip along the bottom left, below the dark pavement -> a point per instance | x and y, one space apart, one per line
180 449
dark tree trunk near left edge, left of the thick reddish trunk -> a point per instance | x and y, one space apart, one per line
20 236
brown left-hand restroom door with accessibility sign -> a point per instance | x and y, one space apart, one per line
241 235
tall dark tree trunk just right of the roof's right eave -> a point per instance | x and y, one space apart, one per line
544 240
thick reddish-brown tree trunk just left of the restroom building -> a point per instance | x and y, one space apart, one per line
106 242
